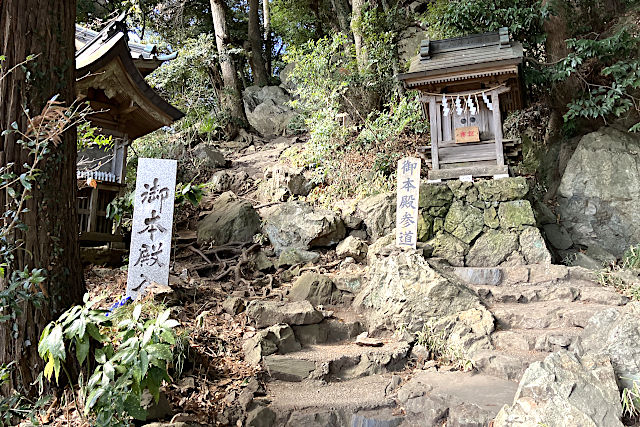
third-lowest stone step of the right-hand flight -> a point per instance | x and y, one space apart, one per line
544 314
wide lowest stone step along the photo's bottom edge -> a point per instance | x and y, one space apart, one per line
383 400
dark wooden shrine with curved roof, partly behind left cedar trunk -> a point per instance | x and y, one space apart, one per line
110 74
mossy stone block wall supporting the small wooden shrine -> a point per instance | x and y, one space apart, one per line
481 224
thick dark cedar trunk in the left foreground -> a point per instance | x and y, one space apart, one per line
44 27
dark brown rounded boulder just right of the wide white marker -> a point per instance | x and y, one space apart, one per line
231 220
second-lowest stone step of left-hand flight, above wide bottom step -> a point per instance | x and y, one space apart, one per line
337 361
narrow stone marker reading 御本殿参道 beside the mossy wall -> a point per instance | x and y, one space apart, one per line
407 202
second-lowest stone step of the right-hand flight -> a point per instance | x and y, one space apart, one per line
547 340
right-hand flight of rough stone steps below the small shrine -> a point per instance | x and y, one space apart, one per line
538 309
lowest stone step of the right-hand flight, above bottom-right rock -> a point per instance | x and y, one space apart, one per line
508 365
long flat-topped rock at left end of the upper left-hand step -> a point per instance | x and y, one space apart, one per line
267 313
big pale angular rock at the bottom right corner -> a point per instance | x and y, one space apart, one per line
565 390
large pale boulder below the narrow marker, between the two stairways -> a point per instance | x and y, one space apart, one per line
402 290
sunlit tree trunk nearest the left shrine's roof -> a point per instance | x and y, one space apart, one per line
232 98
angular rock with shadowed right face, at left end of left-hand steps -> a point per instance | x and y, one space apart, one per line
277 338
